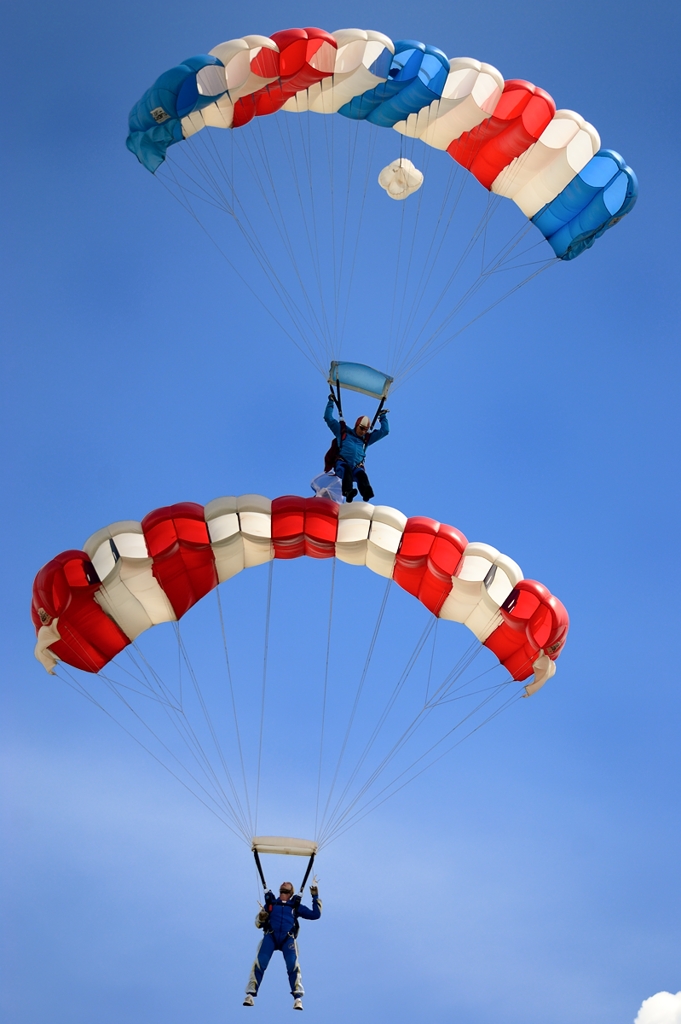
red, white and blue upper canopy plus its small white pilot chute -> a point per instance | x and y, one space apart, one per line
507 134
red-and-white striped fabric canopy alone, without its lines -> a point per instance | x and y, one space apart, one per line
89 606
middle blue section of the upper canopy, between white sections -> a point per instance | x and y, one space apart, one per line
416 78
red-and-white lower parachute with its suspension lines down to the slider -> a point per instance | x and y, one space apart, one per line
198 714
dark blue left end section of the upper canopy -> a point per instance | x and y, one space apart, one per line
155 120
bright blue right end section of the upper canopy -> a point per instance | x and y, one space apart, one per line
597 199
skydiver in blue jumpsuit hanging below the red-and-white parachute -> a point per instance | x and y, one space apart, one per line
279 920
